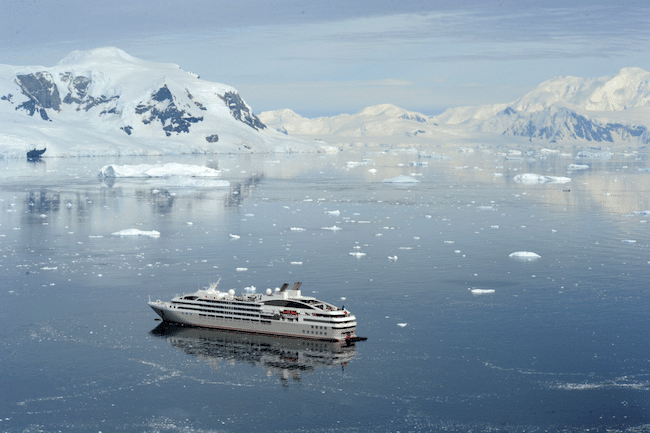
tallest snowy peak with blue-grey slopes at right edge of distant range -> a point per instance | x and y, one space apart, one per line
609 109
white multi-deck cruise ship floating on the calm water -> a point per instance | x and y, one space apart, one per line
284 312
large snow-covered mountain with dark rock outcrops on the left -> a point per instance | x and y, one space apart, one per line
106 102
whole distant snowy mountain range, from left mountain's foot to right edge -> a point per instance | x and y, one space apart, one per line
570 110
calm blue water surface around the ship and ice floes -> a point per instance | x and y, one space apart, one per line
561 345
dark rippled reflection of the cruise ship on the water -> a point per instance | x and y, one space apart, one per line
288 358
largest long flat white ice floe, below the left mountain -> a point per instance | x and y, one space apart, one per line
158 170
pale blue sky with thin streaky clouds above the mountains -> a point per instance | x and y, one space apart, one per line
321 58
